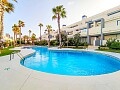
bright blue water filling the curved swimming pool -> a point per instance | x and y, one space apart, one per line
73 63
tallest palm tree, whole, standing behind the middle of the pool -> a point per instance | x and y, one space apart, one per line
59 12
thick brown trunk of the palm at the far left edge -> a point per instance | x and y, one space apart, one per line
1 22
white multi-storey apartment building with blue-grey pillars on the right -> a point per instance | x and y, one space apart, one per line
97 29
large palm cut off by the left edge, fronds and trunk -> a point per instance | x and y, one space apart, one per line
5 6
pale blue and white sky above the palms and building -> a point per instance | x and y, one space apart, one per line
33 12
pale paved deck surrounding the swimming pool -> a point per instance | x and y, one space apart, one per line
14 76
